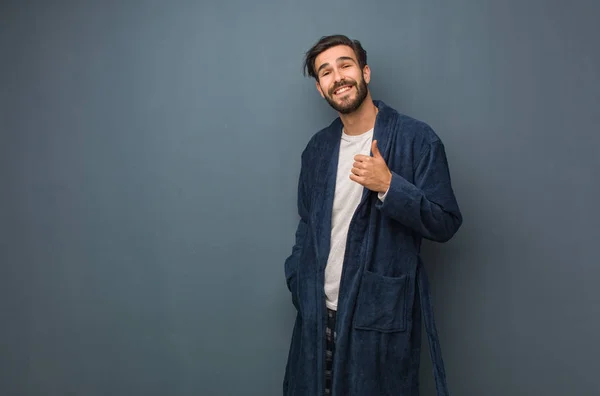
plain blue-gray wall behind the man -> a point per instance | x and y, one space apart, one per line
149 153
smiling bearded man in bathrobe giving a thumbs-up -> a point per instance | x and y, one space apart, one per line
372 185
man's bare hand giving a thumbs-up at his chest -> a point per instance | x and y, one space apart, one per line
372 172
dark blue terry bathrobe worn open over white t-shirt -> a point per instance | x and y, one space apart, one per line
384 289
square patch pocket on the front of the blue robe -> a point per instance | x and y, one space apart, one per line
382 303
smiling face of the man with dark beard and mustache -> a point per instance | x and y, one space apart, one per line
340 80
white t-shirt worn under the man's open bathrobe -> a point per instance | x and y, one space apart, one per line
347 197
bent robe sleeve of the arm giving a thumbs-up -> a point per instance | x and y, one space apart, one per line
428 206
